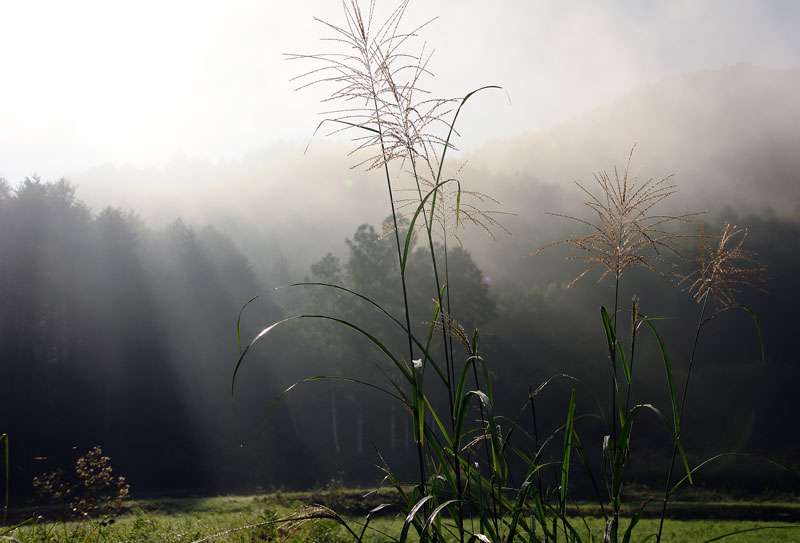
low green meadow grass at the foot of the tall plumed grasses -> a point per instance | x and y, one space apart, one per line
189 519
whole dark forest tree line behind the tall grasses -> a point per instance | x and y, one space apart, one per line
116 334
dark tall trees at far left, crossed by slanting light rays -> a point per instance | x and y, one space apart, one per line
112 334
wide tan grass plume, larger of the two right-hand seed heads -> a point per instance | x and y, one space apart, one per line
625 231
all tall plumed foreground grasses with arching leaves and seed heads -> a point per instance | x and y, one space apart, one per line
479 475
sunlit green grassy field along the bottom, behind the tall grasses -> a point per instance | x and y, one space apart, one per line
192 519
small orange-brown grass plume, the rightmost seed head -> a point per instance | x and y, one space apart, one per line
723 267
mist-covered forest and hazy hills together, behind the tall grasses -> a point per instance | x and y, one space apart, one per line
118 333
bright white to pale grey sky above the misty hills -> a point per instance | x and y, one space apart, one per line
89 82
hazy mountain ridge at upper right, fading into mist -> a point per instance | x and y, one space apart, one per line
730 136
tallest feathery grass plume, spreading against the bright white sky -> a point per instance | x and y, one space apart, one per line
380 81
